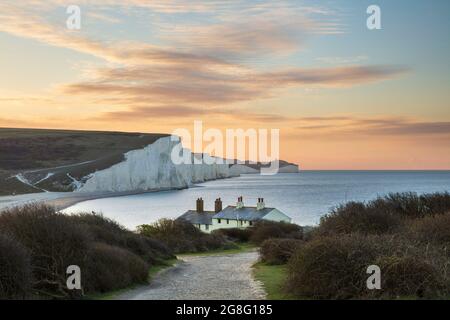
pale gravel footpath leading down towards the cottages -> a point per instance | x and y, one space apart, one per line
213 277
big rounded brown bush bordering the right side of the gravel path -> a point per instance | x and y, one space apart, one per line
330 268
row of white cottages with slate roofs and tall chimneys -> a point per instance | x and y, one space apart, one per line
238 216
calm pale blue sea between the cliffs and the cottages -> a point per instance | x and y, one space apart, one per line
305 196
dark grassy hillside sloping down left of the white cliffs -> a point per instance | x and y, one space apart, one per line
49 158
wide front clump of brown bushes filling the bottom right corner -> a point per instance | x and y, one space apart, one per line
335 268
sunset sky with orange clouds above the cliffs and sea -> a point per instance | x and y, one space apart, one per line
342 96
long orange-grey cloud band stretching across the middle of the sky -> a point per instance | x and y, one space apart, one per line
190 85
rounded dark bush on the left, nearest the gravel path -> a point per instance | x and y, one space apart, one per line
112 268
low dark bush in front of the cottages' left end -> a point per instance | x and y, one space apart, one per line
181 236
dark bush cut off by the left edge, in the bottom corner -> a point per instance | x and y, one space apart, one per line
15 269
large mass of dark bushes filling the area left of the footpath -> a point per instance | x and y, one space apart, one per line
108 255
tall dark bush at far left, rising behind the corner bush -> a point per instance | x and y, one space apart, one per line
53 242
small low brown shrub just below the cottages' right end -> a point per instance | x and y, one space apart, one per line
263 230
